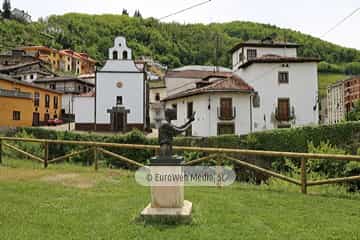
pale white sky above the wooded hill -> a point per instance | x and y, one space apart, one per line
314 17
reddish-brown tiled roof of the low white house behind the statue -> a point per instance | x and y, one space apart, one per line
226 84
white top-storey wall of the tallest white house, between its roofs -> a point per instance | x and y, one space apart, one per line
286 52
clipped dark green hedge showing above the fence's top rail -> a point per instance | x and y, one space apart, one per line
344 135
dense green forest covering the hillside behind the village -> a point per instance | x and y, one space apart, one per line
173 44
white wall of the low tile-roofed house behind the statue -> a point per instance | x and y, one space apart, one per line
206 120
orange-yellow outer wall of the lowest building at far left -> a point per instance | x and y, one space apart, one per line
41 109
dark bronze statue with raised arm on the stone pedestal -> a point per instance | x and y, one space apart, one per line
167 132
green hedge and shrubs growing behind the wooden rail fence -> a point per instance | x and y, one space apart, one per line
339 138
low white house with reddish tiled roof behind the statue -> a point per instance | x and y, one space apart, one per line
222 106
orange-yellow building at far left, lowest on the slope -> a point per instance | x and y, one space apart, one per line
25 104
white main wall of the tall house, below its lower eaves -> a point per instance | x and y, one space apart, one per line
302 90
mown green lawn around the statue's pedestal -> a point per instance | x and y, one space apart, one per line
73 202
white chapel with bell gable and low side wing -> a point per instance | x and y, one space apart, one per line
120 97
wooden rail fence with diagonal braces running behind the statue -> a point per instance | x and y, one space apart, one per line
217 155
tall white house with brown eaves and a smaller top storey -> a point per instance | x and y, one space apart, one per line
286 86
